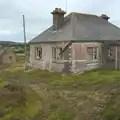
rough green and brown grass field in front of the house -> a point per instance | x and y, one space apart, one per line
41 95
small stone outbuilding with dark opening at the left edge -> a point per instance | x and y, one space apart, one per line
7 56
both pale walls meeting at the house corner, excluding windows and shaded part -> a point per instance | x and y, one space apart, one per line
75 57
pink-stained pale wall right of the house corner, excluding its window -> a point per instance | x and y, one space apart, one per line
80 59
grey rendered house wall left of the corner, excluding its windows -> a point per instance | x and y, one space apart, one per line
46 62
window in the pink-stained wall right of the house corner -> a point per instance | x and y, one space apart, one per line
92 53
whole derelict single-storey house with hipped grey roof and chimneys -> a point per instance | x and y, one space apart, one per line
76 43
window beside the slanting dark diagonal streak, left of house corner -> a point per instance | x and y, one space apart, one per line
56 53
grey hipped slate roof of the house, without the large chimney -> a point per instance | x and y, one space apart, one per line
80 27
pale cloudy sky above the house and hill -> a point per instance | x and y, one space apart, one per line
38 15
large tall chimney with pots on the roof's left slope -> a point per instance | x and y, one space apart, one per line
58 18
